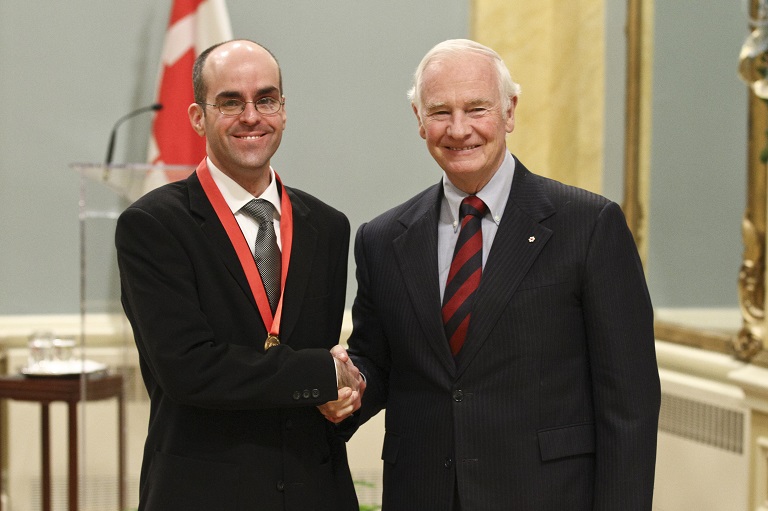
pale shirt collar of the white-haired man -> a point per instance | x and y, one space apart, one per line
494 194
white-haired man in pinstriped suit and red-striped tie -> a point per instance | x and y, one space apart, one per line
503 321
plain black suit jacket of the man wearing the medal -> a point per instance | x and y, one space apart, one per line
232 427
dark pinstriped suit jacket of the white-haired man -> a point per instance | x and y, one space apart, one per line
553 401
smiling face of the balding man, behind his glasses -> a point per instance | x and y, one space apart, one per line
241 146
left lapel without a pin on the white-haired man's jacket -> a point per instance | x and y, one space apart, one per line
416 252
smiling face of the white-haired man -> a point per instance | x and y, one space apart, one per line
462 118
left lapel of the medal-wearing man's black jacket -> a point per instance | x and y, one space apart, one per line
217 235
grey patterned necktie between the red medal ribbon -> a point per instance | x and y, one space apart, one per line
266 253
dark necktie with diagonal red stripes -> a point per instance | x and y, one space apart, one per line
465 272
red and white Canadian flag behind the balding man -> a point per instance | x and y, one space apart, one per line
194 25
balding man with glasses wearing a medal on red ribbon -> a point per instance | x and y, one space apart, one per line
234 285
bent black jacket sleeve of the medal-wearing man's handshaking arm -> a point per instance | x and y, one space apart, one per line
173 295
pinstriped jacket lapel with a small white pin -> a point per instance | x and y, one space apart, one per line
518 242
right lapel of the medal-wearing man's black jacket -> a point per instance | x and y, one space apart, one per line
300 268
